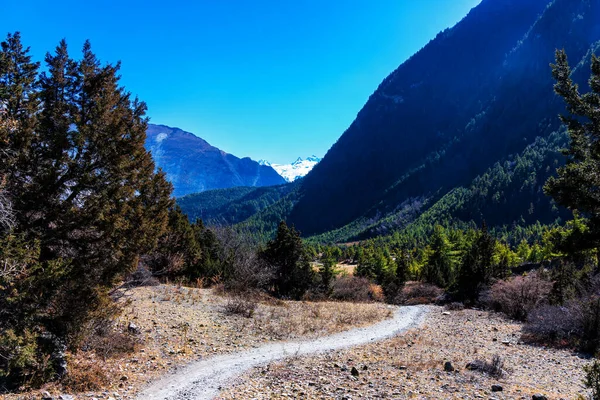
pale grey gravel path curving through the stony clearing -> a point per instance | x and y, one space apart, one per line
203 379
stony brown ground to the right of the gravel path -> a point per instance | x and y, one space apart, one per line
412 366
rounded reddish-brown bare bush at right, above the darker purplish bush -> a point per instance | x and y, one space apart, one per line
518 296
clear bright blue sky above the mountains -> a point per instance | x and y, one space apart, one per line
272 79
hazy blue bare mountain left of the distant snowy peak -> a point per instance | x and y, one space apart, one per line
192 165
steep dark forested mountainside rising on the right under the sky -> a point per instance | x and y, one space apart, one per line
466 130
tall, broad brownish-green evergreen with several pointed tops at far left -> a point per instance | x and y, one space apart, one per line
84 191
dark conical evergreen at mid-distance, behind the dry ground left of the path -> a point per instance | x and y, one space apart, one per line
286 255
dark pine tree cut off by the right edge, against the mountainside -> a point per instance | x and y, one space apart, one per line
576 185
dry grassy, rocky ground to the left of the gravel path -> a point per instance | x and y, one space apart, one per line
172 326
